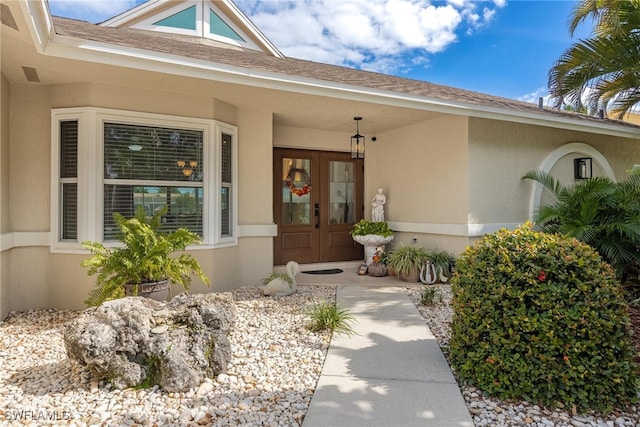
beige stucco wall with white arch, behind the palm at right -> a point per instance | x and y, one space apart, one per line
501 153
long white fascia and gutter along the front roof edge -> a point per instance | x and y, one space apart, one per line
57 45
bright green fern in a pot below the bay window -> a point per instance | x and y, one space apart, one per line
142 264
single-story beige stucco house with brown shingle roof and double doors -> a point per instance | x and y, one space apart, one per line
187 104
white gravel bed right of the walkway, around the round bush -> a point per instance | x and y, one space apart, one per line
488 411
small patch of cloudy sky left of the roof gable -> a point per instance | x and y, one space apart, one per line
95 10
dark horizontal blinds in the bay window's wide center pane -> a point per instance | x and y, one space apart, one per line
155 168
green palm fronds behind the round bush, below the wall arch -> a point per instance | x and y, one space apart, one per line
597 211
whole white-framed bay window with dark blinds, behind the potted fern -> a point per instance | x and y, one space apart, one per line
107 161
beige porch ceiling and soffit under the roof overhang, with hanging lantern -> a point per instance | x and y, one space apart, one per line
289 108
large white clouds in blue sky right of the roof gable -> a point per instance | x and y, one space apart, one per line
376 35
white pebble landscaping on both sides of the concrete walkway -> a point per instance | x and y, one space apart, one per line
275 367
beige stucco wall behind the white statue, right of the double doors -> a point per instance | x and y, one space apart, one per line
422 169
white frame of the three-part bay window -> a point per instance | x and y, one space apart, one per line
90 177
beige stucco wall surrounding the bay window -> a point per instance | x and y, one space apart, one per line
40 279
